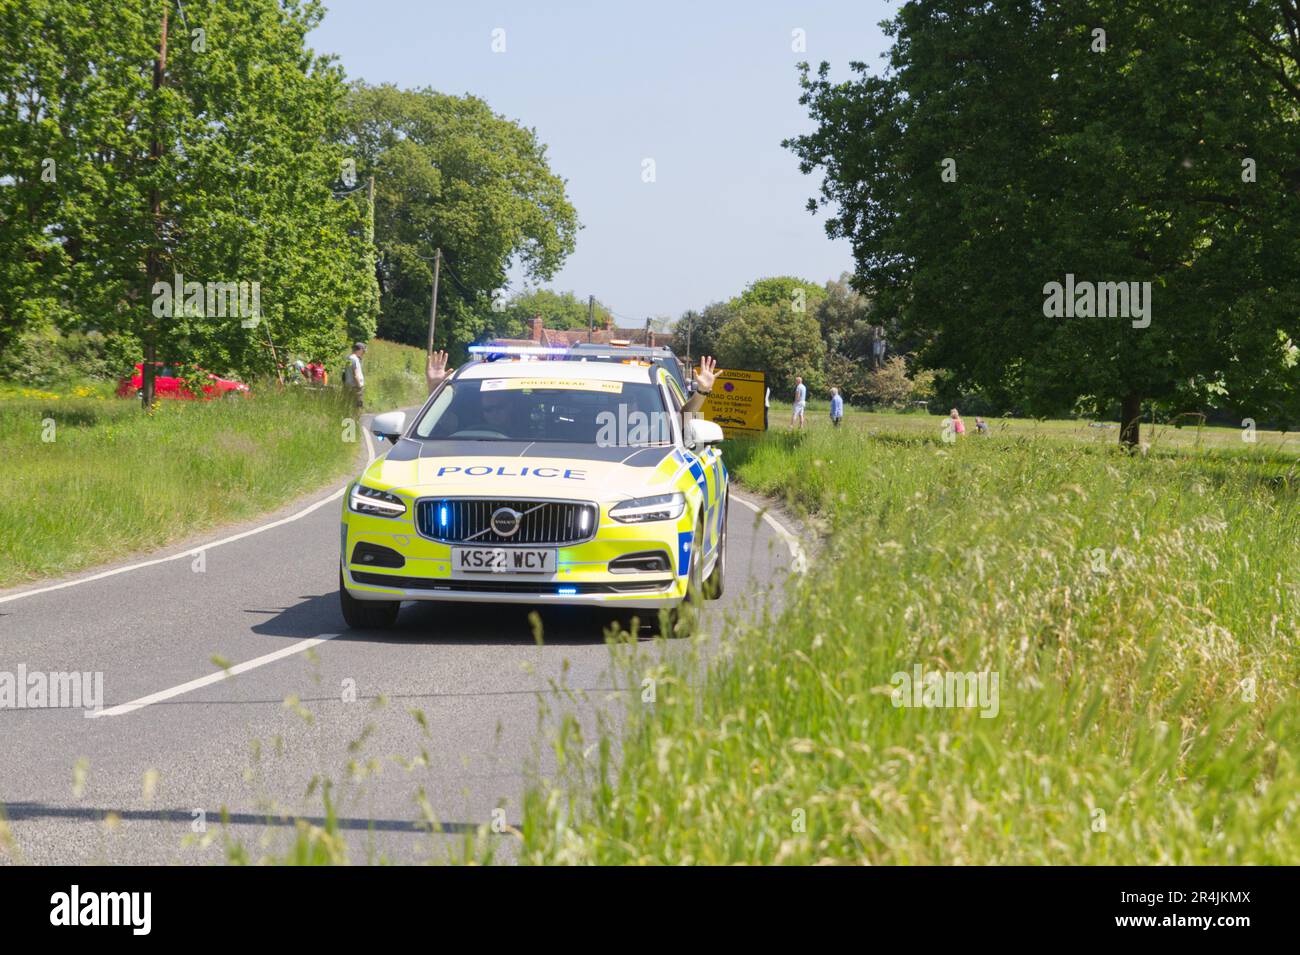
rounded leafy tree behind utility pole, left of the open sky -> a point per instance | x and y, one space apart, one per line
452 175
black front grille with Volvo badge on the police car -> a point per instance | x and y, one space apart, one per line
543 523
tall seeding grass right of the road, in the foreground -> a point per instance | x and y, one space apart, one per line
1142 615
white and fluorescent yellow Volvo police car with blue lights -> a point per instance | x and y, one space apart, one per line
539 483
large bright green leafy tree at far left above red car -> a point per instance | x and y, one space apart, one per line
216 163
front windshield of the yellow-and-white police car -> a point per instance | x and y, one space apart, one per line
541 410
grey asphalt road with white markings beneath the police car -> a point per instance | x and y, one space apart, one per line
128 785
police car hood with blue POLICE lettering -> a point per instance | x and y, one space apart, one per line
526 470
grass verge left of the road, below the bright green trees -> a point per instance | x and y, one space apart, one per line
86 481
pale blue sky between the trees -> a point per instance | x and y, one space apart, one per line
707 90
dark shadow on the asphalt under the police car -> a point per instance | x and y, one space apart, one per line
457 624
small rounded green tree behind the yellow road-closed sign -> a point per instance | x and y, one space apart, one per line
773 340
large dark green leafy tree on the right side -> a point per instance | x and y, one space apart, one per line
1006 147
